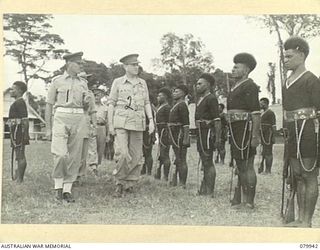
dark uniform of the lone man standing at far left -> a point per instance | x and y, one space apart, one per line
17 111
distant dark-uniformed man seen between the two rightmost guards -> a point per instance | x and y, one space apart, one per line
267 131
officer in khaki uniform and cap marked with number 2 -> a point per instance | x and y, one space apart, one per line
128 109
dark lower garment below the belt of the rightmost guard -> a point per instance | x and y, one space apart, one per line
308 143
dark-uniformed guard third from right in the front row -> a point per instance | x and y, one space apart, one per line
208 127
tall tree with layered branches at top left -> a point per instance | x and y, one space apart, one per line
28 41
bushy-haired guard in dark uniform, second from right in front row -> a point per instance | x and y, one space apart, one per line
244 123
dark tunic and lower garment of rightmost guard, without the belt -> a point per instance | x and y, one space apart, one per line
302 93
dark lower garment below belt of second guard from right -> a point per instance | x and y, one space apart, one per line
240 132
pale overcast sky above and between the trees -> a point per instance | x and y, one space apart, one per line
107 38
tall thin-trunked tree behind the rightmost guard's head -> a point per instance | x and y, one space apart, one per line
306 26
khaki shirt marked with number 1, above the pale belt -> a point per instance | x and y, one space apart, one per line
66 91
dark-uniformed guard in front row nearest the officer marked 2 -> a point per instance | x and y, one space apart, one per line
162 119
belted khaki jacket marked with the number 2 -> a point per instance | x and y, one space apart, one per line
122 90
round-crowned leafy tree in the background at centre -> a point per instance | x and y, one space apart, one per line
185 58
